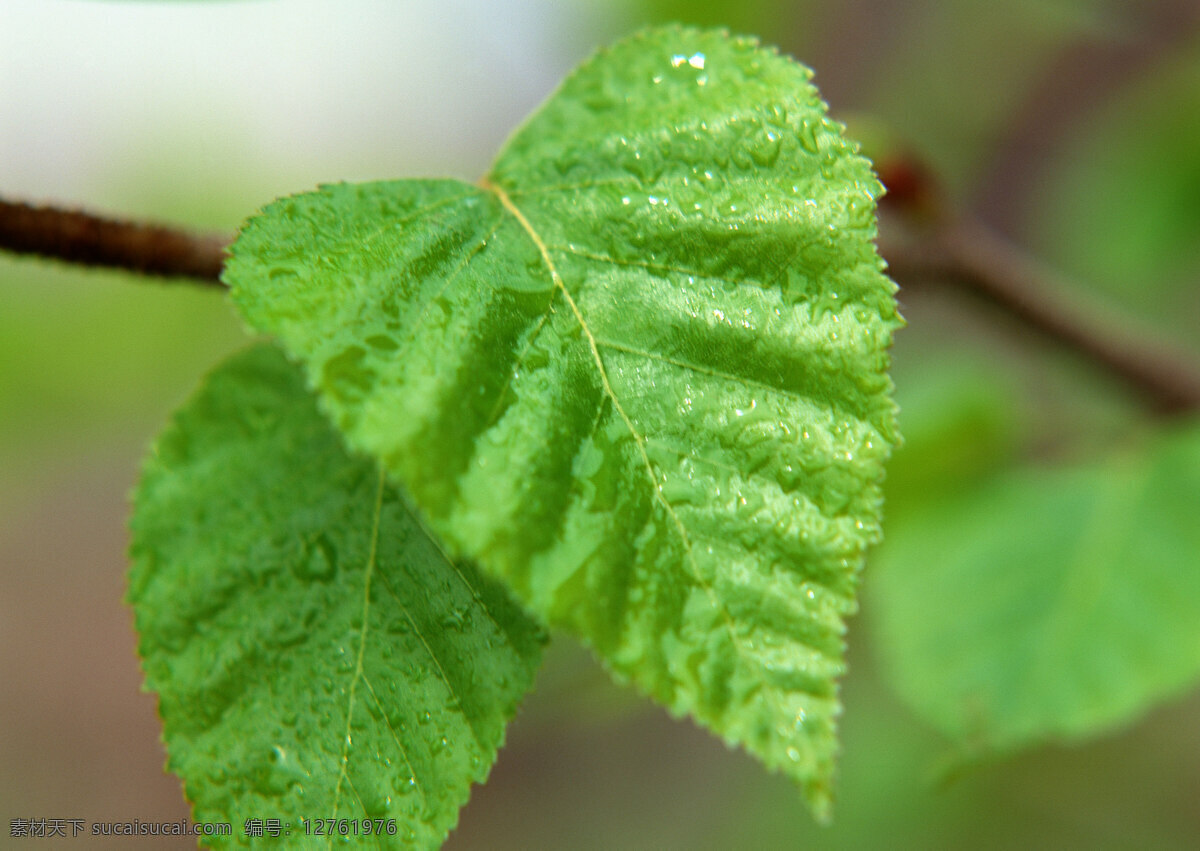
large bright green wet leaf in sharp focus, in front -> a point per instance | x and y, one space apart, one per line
639 373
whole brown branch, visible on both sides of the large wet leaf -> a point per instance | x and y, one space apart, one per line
941 248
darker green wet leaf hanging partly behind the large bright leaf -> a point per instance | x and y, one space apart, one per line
315 654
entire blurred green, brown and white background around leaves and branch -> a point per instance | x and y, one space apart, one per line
1072 127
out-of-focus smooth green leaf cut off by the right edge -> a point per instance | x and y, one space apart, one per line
1048 604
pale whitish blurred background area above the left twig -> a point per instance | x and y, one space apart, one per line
269 98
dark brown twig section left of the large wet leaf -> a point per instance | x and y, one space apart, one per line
92 241
